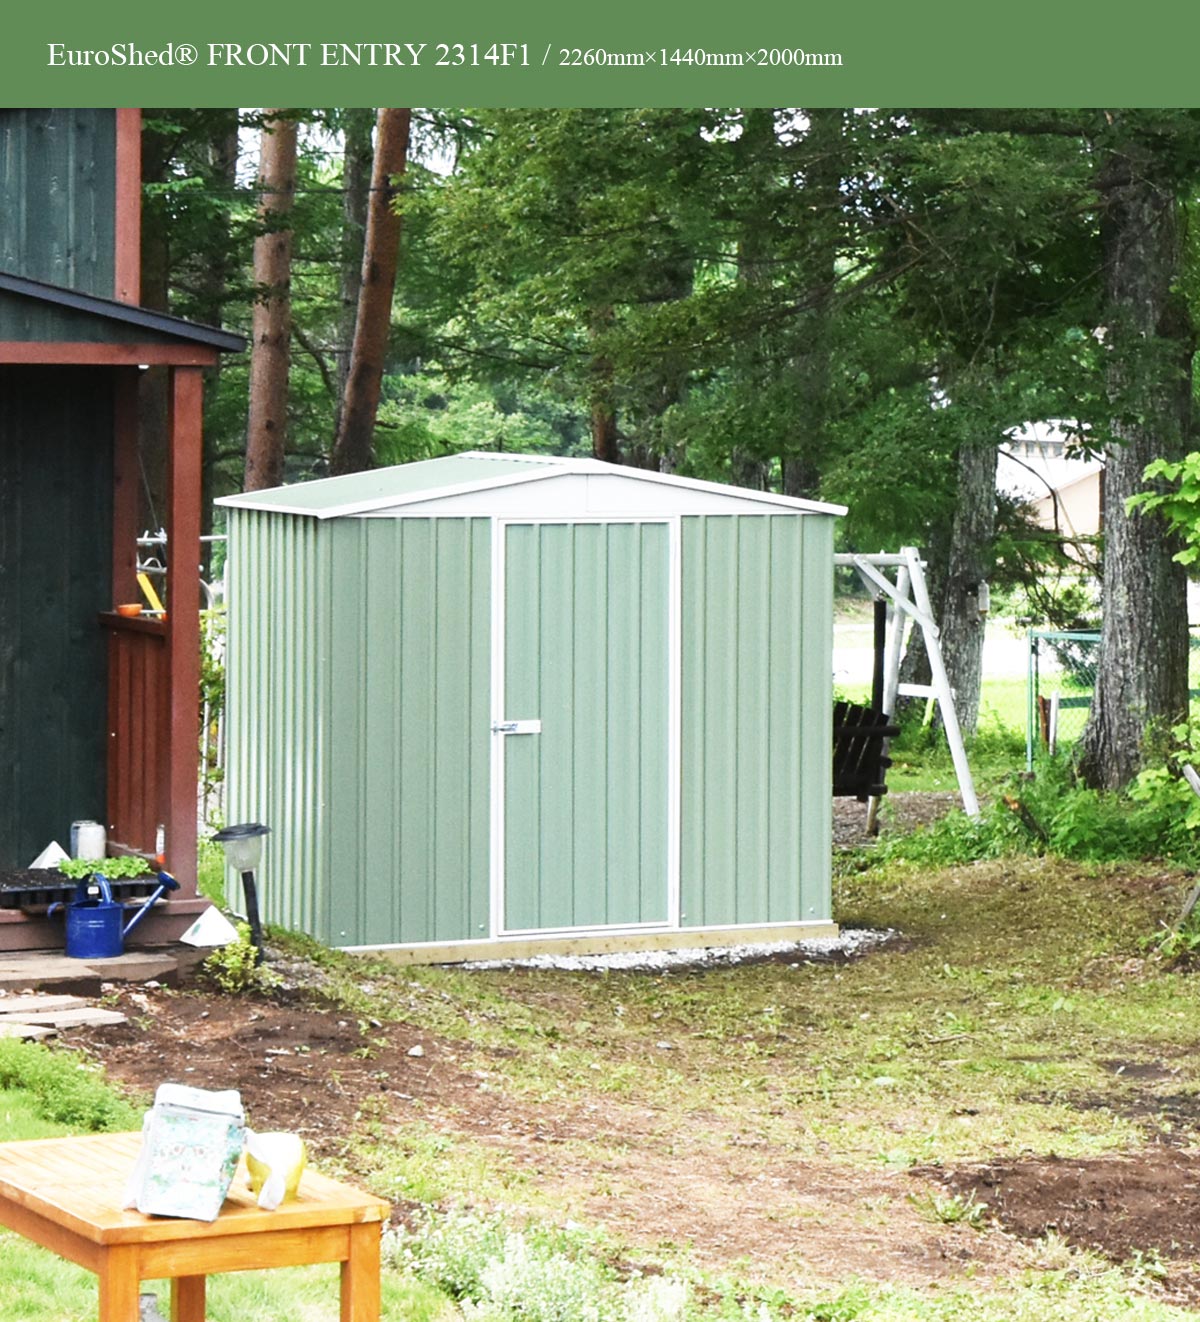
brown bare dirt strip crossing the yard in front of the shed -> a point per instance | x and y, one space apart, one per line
654 1177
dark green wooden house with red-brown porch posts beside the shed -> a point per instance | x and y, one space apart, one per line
98 713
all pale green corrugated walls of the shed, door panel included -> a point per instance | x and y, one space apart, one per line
360 721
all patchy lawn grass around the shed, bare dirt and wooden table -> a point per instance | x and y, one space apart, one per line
989 1030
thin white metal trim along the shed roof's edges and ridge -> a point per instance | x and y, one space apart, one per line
543 467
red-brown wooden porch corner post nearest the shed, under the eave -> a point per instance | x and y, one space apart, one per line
183 614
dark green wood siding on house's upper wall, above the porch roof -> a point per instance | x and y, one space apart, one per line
57 196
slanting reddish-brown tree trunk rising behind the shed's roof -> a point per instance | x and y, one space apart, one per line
356 433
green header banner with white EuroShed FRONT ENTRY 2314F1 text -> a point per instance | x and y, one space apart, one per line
474 54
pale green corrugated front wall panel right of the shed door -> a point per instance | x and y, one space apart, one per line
757 721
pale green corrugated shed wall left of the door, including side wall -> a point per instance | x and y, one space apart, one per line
359 716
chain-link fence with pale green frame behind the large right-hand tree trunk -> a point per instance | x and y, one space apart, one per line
1063 668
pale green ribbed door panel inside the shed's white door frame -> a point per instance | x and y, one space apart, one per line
586 652
